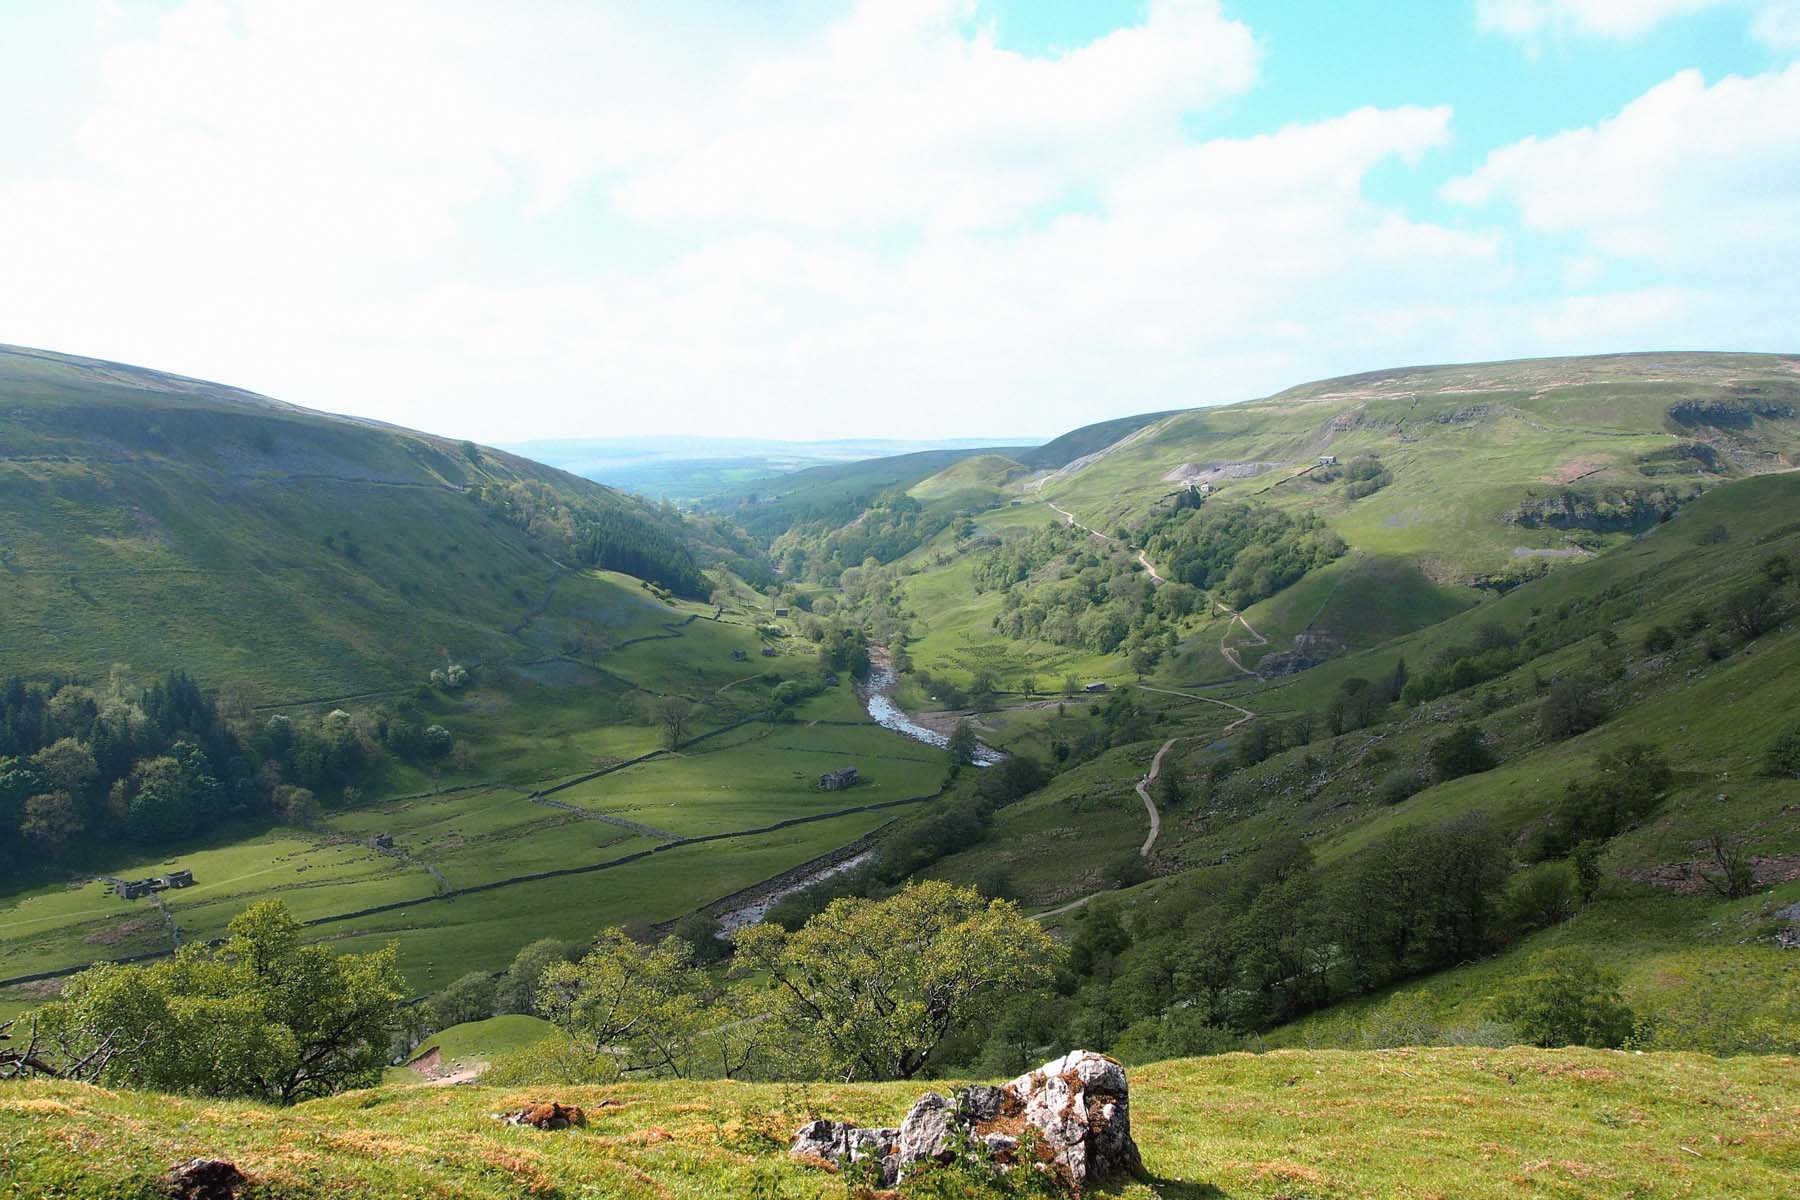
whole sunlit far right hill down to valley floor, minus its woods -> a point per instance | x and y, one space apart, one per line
1444 487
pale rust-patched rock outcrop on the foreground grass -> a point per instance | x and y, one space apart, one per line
1070 1116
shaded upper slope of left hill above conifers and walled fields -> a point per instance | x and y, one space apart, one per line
305 555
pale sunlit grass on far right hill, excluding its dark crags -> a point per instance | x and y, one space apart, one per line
1464 445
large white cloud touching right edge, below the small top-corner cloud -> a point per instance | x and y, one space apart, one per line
1693 177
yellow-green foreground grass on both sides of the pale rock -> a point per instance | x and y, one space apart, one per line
1464 1124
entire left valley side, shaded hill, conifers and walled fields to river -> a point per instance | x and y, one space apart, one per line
249 640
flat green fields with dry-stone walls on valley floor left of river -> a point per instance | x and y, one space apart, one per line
746 780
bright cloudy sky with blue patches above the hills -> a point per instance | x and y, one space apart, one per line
885 219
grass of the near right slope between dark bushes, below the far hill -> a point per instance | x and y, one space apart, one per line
1714 721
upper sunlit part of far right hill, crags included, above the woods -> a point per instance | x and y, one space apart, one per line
1488 465
